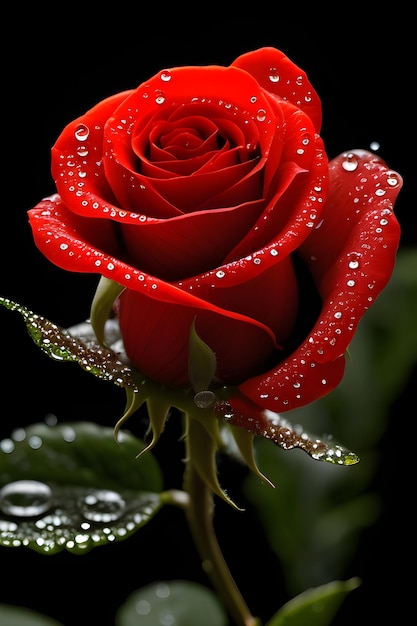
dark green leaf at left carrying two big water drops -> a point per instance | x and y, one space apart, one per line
71 486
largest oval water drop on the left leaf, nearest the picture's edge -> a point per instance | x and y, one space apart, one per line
25 498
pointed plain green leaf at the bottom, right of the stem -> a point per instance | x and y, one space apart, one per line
315 607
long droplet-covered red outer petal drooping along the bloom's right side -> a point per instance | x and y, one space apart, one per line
354 249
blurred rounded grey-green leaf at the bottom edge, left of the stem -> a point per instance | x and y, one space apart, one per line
173 602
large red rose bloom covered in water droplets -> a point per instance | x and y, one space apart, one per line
206 192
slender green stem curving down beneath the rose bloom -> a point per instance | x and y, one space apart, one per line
200 513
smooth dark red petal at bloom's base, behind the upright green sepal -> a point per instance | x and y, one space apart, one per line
156 335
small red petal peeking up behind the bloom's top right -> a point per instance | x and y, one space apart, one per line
276 73
